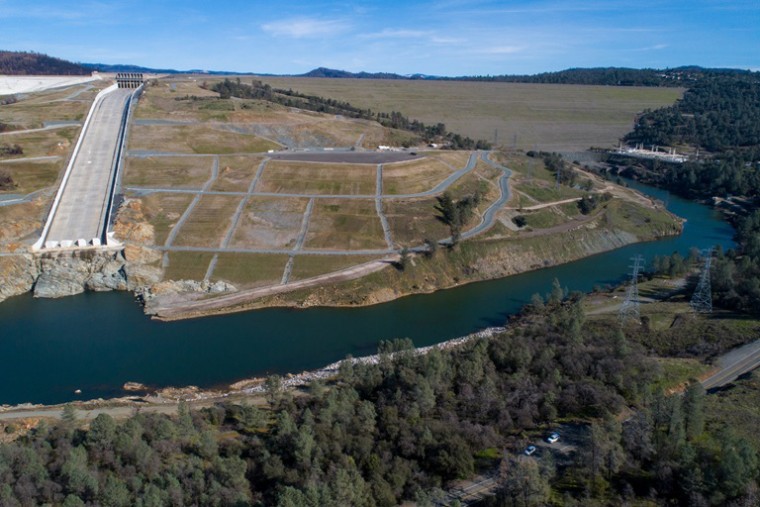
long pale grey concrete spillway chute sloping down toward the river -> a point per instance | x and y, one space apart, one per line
82 210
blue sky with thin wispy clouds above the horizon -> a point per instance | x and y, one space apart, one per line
445 37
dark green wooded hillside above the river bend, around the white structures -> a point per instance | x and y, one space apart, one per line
719 116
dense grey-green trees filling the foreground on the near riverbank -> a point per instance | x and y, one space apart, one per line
403 428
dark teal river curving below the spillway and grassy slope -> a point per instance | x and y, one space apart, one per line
97 341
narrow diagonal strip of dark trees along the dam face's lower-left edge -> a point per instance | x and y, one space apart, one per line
429 133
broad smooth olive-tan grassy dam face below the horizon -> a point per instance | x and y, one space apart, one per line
542 116
